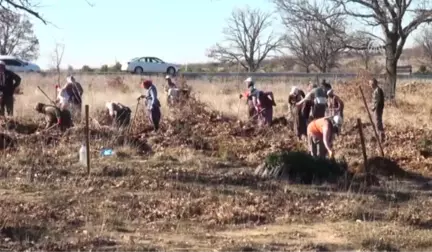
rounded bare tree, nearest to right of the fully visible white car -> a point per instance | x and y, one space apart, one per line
246 41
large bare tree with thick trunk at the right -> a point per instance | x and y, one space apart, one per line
390 16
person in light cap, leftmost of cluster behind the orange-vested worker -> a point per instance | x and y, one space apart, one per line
299 114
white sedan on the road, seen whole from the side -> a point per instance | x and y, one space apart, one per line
150 65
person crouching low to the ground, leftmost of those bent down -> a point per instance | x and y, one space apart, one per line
55 116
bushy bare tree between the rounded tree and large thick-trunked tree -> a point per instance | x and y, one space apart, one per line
309 40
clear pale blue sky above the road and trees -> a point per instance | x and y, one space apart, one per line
176 31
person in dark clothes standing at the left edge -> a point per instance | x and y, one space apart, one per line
9 82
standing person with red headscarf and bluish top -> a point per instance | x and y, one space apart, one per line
152 103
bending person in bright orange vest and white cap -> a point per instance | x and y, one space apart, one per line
321 133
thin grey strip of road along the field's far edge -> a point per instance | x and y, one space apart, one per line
257 75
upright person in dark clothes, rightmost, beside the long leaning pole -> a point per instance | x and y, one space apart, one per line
378 108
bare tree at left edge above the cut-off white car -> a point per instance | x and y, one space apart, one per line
17 36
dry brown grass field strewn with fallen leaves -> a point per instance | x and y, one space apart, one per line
192 186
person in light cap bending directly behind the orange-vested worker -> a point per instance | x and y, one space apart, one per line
318 97
